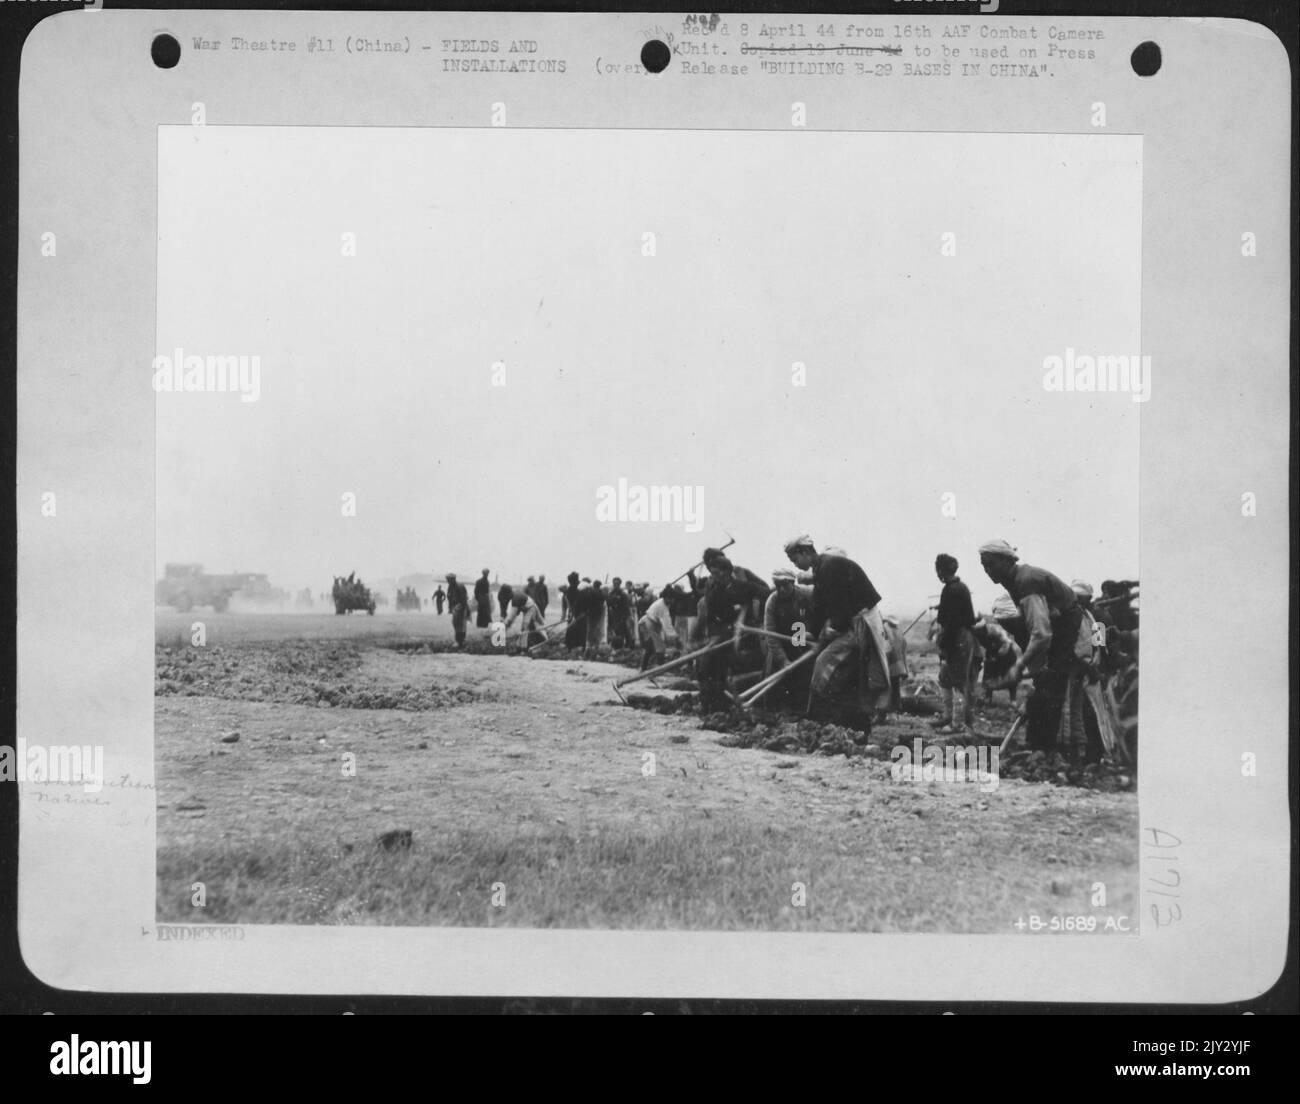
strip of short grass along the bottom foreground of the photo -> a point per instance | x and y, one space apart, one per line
691 876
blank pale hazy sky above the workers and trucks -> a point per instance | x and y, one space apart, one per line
925 373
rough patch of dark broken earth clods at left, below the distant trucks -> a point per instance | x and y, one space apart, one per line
324 674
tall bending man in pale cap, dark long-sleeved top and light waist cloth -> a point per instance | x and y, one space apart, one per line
848 637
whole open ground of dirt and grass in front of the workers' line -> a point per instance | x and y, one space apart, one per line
534 798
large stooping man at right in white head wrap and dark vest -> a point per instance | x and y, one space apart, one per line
1052 620
